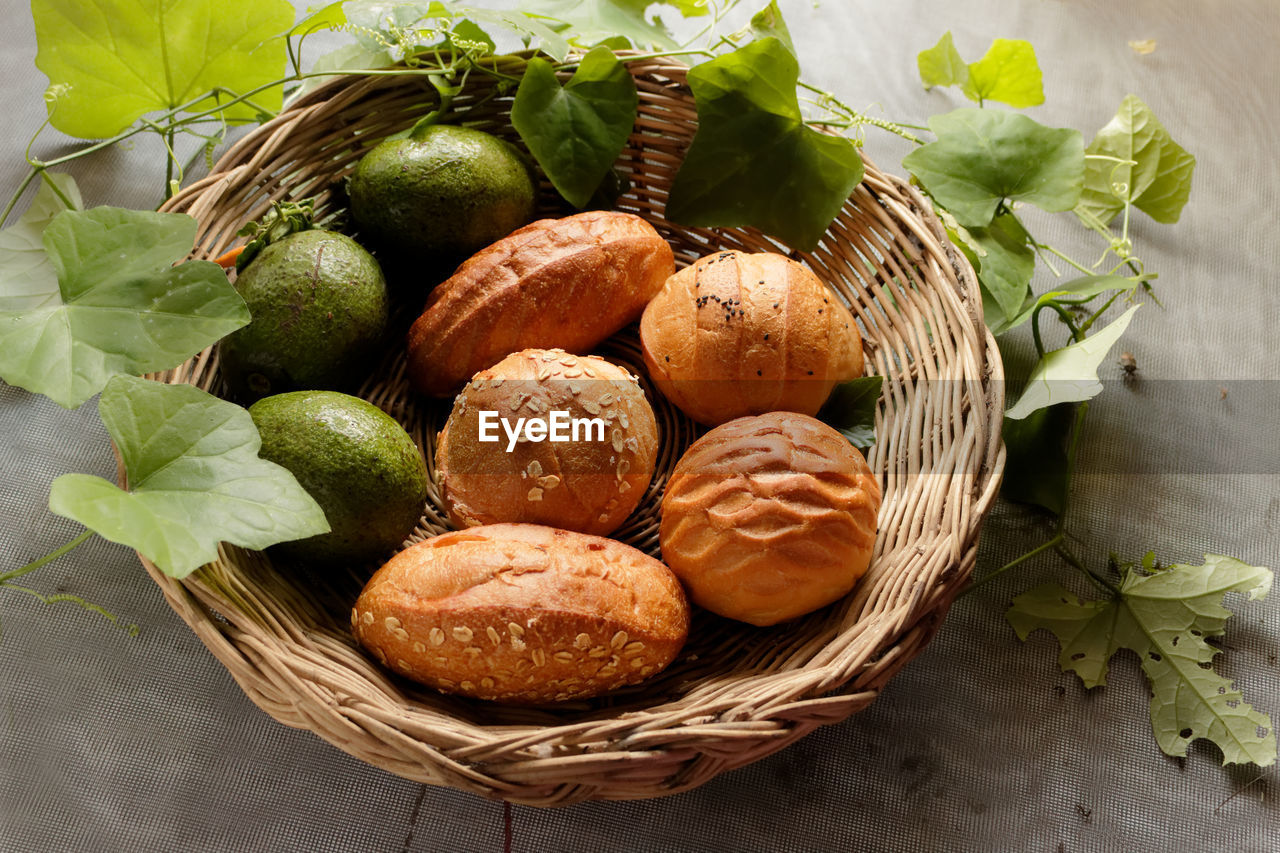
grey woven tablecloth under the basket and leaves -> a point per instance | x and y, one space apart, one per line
113 742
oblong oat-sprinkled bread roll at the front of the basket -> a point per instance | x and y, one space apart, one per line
523 614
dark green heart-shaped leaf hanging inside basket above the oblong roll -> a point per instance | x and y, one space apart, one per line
578 131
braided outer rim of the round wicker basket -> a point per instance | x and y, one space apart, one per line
830 695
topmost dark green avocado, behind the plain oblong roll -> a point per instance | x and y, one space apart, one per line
441 195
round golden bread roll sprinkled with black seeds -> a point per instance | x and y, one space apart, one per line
742 335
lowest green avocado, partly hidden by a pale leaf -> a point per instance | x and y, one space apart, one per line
356 462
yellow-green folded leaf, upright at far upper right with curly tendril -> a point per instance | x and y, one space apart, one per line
1156 174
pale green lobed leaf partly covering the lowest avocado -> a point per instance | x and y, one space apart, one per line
195 480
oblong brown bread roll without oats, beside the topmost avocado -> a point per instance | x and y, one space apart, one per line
566 284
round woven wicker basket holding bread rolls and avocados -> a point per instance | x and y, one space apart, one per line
737 694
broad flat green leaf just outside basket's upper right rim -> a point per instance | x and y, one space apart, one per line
984 158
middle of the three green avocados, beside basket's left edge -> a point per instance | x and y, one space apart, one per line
319 311
